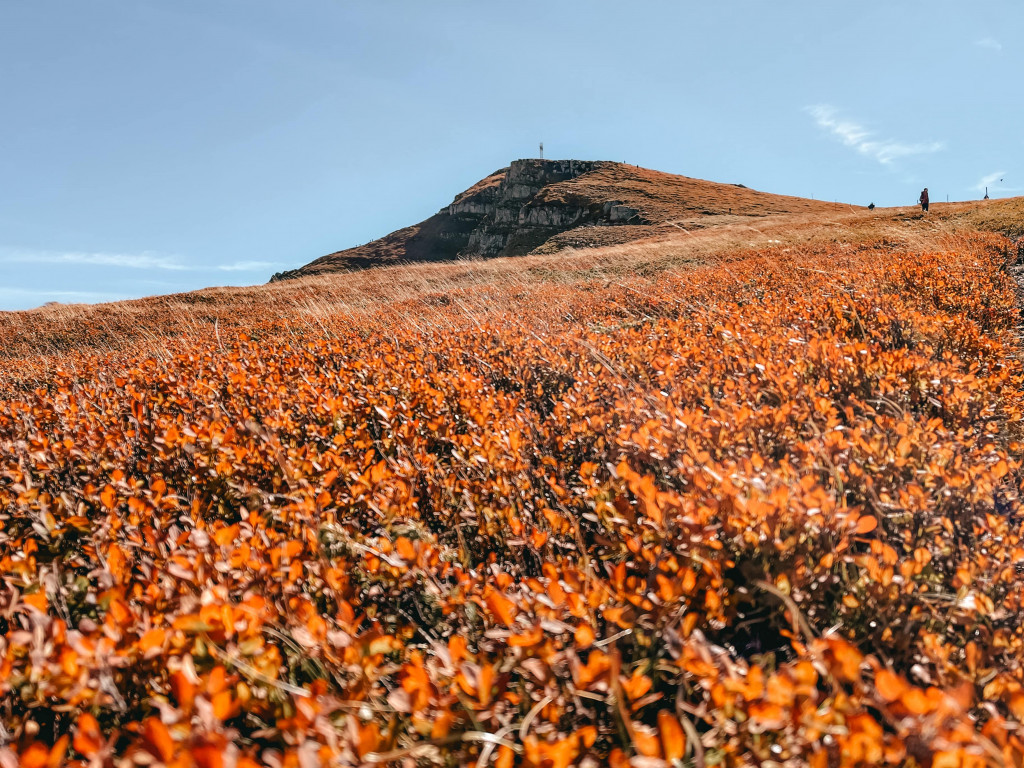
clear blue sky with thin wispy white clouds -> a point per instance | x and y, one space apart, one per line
149 147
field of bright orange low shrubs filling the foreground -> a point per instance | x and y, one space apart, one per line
767 513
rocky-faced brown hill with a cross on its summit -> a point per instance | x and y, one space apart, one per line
550 204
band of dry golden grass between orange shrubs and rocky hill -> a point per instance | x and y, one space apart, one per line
406 292
